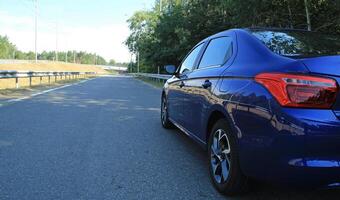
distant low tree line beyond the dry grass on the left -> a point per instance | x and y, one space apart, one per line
10 51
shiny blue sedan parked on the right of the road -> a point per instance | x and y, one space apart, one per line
265 103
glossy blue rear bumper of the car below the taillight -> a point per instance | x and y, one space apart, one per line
303 148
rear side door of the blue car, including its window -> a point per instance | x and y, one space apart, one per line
200 83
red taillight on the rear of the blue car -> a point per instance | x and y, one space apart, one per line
300 90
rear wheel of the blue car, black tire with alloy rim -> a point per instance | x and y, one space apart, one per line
231 180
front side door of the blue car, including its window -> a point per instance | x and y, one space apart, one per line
176 94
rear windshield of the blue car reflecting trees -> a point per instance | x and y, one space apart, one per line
299 44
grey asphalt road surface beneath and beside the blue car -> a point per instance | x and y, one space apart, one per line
102 139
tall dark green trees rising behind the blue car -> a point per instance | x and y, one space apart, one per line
164 34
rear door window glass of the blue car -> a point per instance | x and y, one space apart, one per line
217 53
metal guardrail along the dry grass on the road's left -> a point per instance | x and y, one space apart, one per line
7 74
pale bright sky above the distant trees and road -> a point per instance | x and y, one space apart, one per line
80 22
